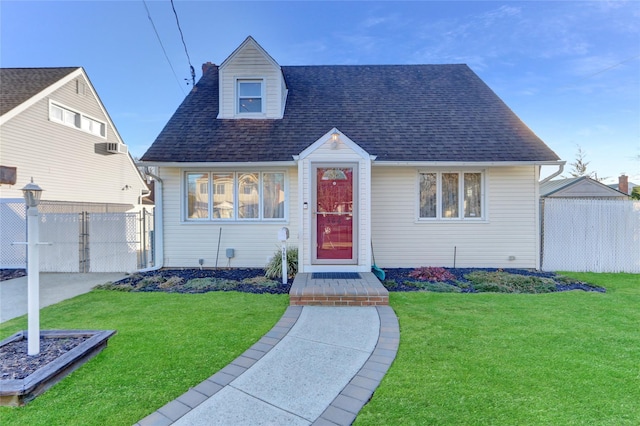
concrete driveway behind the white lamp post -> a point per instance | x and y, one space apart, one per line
54 288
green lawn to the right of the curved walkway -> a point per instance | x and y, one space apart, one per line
568 358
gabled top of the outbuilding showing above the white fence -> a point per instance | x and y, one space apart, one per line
580 187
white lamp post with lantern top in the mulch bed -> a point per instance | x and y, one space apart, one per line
32 193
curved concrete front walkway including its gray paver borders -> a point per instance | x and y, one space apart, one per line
319 365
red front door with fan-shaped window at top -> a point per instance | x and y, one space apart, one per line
334 215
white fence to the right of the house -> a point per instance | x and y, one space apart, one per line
591 235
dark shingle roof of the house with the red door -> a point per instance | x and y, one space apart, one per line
396 112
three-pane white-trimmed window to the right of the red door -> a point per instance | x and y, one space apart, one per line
451 195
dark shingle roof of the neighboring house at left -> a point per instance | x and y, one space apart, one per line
17 85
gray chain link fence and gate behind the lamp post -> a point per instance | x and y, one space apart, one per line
84 237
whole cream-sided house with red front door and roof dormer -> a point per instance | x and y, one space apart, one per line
421 165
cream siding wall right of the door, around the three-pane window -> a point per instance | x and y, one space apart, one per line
509 227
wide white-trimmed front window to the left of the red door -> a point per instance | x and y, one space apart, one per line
238 196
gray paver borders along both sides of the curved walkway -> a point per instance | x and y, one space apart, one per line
344 408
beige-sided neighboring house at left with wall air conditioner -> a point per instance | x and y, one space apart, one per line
55 130
